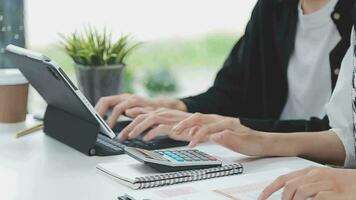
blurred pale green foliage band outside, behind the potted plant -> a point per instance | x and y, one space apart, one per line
178 54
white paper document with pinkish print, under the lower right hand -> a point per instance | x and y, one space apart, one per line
243 187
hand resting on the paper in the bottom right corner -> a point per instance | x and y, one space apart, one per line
315 183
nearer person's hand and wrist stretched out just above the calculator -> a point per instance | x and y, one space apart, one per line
230 133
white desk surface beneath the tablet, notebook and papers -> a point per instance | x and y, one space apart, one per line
37 167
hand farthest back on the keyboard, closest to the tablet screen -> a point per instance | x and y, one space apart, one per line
132 106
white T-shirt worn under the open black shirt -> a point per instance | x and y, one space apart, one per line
316 37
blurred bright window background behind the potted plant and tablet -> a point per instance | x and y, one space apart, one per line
183 43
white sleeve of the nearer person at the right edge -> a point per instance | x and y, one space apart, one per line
340 110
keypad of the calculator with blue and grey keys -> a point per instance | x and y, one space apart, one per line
185 155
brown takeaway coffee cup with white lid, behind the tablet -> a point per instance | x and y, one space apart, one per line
13 96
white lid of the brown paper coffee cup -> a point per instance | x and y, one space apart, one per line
12 77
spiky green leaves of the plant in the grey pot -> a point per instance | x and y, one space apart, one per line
94 48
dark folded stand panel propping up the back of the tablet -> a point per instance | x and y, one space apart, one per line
71 130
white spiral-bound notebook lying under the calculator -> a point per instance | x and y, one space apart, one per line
139 176
